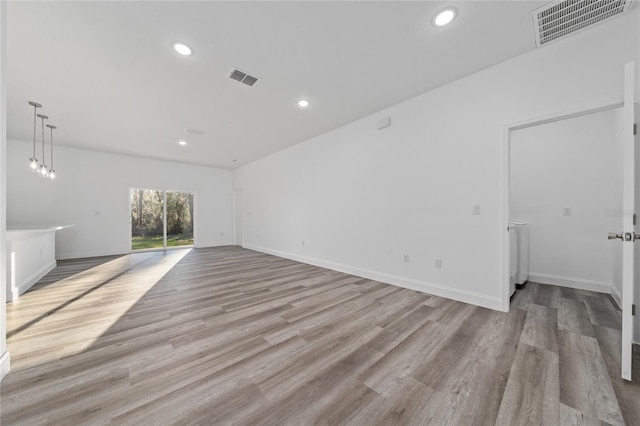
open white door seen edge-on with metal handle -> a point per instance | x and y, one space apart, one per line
628 235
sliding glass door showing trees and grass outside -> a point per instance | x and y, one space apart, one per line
161 219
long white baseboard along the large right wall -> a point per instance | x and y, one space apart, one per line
410 283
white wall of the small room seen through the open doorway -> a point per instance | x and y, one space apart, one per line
573 163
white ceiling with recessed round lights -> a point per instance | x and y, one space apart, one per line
108 78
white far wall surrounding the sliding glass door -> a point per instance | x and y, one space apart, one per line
91 191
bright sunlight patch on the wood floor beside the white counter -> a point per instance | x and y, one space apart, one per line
91 303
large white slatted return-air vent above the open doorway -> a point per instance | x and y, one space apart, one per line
561 18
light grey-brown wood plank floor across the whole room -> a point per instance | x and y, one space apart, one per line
231 336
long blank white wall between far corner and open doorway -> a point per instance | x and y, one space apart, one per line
361 198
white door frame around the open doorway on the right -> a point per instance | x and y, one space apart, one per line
505 243
